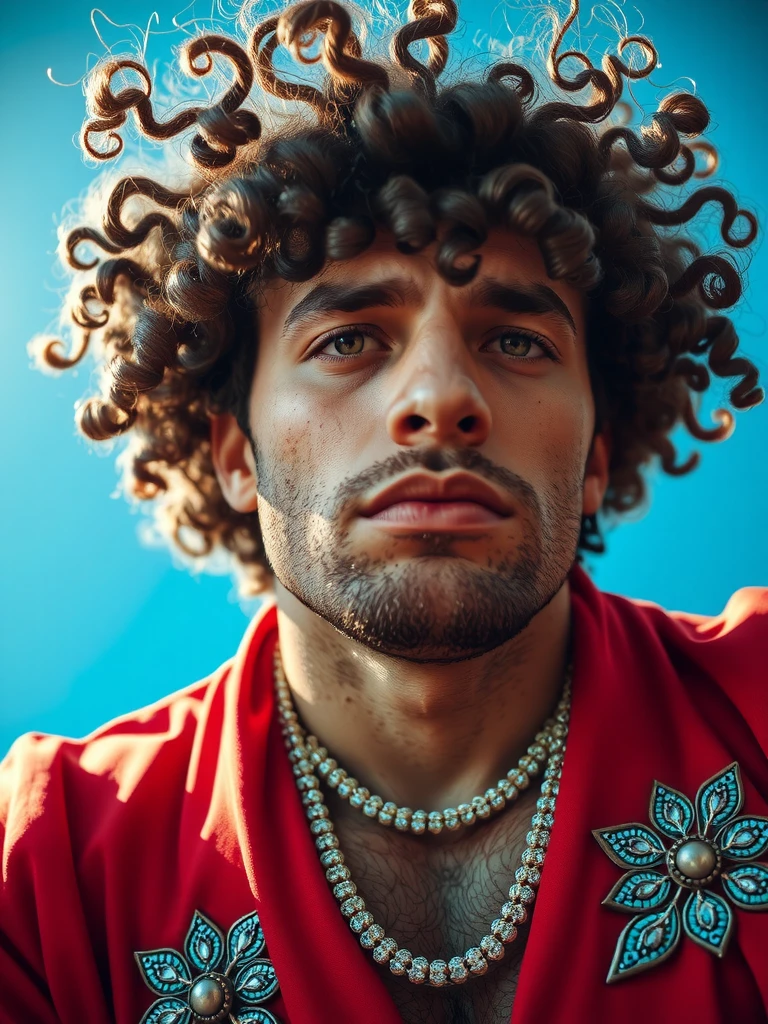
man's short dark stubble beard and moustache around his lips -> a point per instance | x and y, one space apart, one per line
437 607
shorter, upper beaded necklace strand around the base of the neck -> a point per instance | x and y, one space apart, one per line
548 741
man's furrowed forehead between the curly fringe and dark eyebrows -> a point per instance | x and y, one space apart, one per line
505 257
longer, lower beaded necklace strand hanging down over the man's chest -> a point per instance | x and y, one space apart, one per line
372 936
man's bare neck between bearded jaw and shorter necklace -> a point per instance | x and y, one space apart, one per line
423 736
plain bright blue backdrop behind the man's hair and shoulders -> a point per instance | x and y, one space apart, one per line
95 624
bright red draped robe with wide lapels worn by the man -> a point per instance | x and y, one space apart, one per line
111 843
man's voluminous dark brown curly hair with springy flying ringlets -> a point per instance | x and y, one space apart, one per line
379 145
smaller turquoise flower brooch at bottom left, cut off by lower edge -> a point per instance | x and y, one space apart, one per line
218 980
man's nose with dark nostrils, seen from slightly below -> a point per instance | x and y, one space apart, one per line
437 400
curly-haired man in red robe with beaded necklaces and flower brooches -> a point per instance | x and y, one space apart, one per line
397 357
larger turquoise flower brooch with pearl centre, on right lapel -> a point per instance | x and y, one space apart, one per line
704 840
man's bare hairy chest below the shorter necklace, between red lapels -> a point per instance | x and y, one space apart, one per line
438 897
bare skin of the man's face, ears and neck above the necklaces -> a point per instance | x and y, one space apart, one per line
402 652
